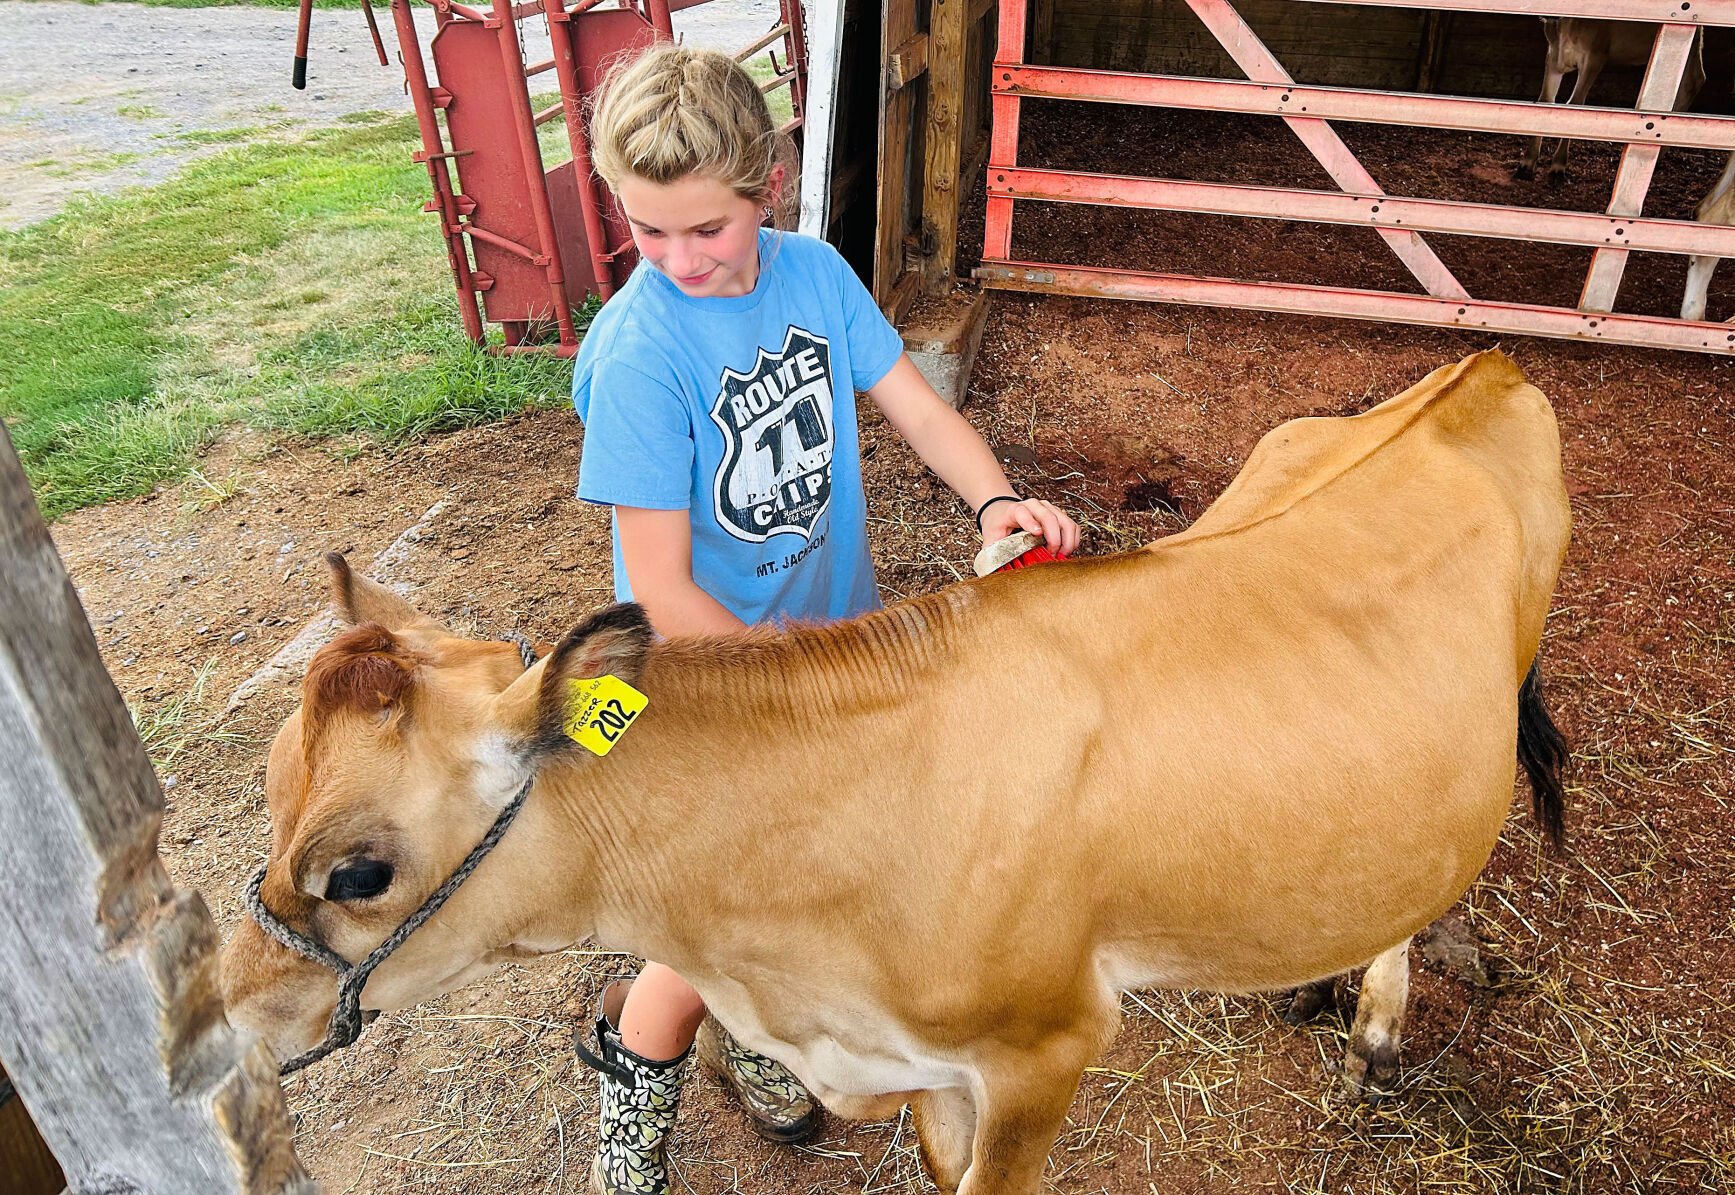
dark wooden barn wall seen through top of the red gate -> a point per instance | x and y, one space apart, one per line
1328 44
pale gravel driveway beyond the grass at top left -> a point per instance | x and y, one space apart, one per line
100 98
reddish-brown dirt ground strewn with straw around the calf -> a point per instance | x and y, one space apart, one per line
1597 1052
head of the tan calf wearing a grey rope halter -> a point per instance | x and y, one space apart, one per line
403 752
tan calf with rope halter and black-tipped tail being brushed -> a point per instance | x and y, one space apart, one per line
1257 754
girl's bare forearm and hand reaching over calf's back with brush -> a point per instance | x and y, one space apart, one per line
952 448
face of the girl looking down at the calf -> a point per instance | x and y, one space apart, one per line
700 233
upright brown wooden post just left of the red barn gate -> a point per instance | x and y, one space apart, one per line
948 32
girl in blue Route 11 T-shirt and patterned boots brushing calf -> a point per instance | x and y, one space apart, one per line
719 402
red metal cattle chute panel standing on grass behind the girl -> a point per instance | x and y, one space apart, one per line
527 242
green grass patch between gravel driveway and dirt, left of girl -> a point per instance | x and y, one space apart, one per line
291 285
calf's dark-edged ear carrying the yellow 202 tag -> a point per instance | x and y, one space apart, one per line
612 643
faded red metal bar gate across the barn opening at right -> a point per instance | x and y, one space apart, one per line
1307 112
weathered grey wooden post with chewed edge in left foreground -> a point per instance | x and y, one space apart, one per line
112 1021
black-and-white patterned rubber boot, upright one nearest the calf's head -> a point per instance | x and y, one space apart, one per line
639 1104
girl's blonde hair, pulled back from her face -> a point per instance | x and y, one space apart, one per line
674 112
